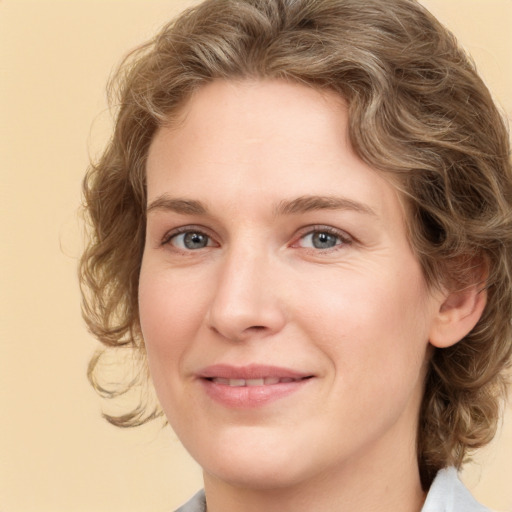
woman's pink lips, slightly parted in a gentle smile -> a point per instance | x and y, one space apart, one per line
250 386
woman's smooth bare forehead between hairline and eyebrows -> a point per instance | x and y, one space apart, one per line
253 141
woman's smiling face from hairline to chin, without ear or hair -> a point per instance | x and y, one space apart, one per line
282 308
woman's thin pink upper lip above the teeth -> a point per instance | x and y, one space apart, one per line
251 371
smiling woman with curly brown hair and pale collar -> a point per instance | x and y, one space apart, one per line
302 227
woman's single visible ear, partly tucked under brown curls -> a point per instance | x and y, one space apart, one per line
457 315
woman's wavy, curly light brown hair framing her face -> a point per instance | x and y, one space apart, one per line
417 110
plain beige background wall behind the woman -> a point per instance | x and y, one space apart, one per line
56 453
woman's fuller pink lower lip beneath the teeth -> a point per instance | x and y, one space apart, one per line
249 397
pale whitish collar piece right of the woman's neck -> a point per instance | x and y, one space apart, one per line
448 494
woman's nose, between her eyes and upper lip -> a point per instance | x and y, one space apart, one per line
246 303
